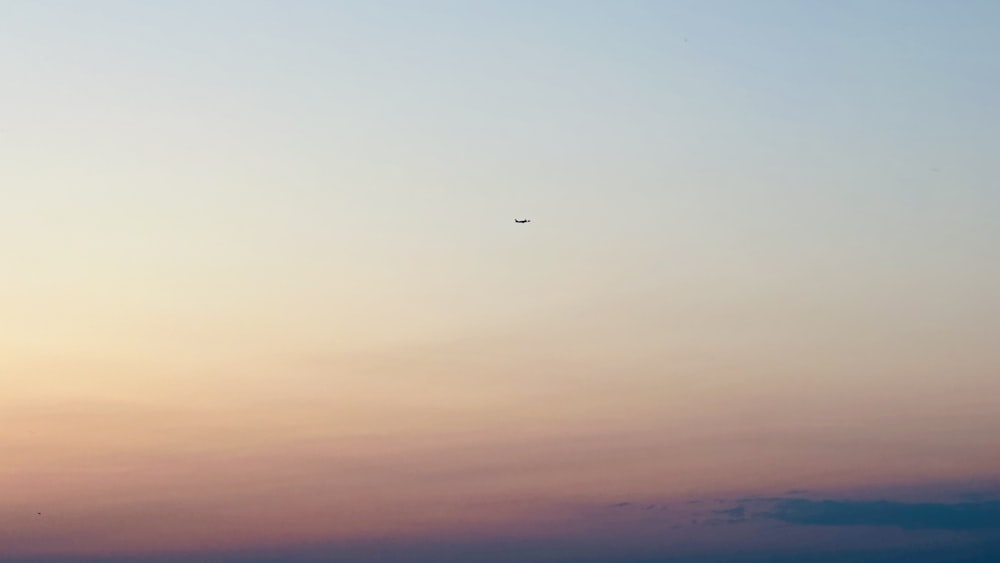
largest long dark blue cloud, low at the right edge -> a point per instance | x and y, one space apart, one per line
908 516
